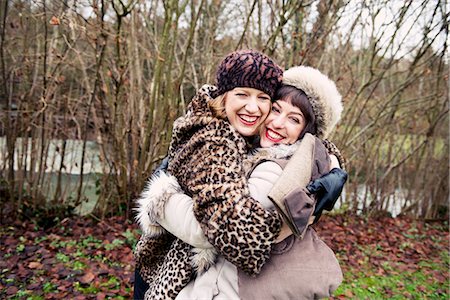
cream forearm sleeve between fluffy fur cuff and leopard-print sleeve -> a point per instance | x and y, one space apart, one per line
179 220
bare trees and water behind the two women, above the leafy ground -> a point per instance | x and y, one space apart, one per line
109 78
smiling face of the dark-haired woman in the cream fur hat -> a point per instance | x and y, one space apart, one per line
283 125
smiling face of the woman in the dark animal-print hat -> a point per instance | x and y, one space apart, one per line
246 109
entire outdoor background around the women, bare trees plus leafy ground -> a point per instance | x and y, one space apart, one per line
89 90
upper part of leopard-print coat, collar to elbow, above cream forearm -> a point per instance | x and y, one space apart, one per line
209 167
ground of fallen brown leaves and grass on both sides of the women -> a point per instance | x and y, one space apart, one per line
84 259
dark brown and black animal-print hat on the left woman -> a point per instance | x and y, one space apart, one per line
248 68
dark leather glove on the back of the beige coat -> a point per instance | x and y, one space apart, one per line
327 188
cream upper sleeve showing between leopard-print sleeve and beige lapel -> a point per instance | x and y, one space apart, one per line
262 180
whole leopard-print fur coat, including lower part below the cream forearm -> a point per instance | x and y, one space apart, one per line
206 157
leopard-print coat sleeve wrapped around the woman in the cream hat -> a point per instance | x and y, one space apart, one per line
238 226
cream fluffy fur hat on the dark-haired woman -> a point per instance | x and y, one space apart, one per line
325 99
